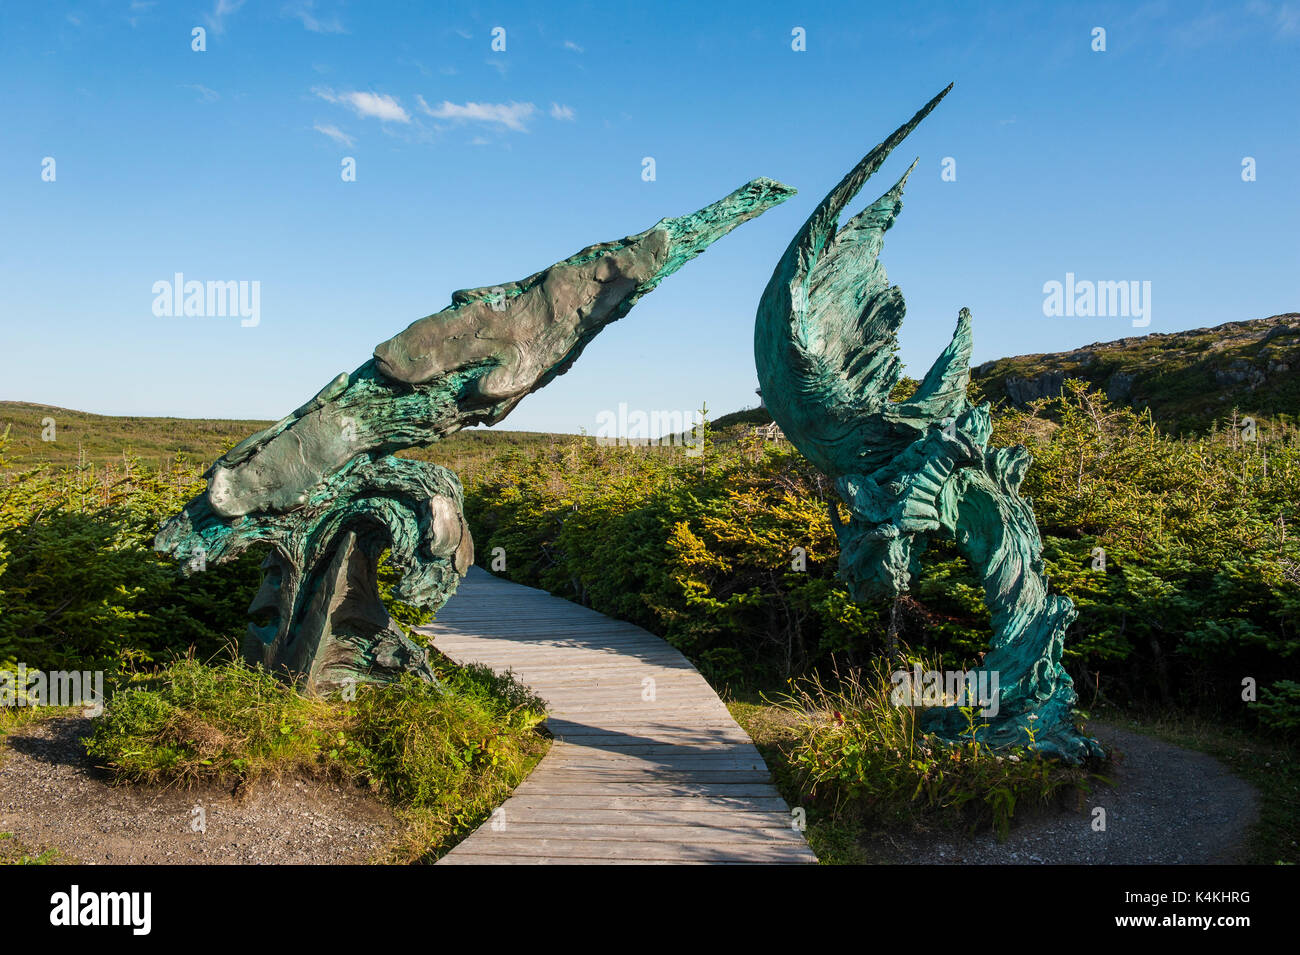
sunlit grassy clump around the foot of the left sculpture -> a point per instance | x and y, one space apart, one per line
447 756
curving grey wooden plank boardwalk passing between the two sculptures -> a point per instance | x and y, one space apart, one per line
647 767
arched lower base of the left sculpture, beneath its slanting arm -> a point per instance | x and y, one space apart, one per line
319 619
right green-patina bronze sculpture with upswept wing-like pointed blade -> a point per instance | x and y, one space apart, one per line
825 345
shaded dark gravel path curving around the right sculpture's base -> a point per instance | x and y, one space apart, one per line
1169 806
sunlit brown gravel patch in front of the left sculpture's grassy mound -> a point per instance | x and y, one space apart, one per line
51 797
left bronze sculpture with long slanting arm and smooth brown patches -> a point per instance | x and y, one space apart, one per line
323 489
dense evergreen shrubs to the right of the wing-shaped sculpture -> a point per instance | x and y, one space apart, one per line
1202 581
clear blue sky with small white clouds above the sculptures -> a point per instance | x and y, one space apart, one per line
478 167
